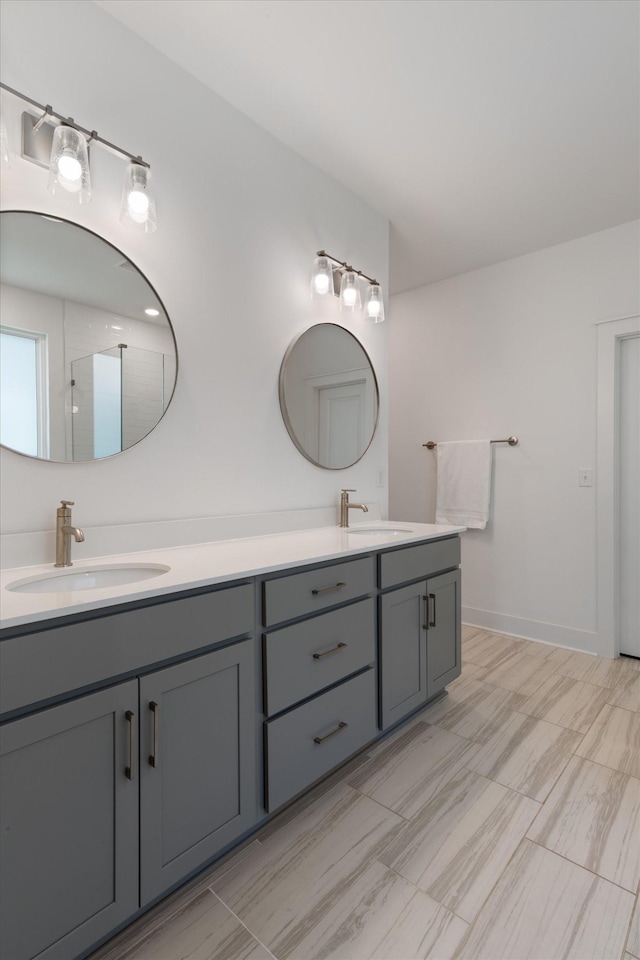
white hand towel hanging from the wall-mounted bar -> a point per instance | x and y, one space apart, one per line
464 483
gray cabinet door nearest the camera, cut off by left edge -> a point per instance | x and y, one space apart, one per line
68 825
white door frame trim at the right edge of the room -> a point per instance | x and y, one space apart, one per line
610 333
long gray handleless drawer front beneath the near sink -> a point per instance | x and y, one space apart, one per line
42 665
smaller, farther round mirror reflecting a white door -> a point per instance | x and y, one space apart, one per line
329 396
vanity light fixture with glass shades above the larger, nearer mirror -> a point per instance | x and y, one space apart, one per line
59 143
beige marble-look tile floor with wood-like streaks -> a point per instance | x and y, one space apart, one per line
503 821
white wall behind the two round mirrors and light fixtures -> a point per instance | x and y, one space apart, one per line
240 218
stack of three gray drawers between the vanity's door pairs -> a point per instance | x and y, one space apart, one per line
319 673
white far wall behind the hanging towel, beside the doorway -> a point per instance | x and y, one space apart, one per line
511 349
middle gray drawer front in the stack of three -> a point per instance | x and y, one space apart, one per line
306 657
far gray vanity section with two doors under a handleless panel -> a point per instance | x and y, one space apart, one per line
420 631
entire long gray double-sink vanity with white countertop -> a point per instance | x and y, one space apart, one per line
146 728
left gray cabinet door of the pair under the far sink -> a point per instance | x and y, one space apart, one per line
403 653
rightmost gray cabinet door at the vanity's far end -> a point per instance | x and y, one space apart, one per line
443 631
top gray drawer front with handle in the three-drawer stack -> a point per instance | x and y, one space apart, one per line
301 594
